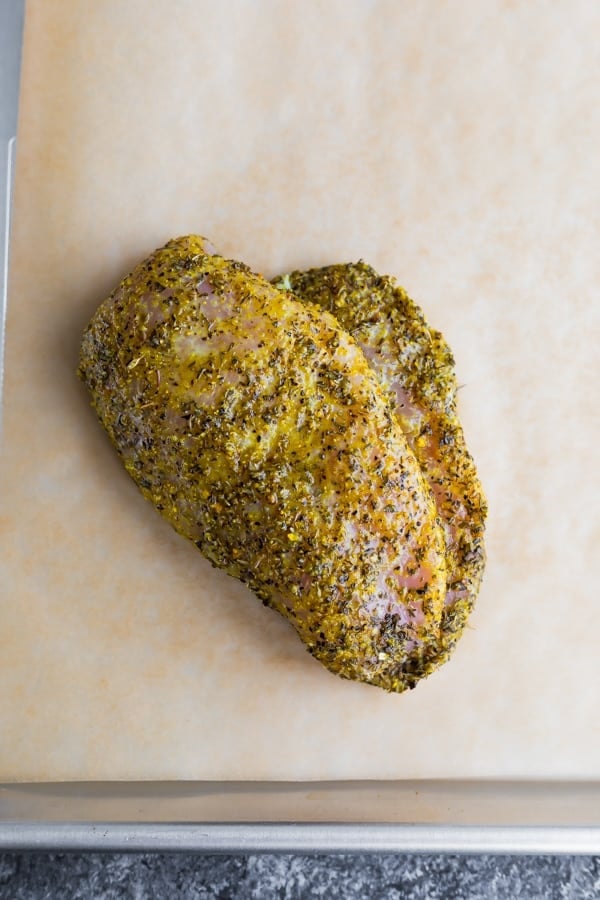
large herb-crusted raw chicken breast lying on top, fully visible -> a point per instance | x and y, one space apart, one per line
255 425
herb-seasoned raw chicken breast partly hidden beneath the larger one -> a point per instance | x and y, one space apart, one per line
415 366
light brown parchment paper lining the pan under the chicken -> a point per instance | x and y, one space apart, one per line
449 144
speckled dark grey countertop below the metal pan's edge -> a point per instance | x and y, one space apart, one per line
427 877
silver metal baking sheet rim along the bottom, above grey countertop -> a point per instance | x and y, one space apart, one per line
224 817
